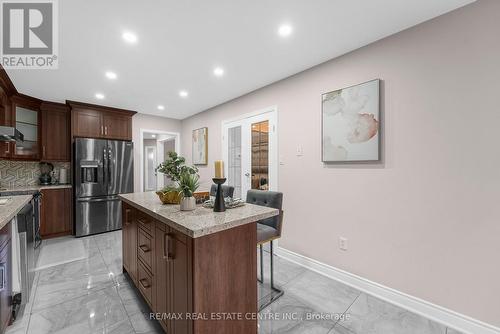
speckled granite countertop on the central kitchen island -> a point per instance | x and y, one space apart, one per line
201 221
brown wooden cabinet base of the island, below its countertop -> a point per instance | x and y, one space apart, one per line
177 274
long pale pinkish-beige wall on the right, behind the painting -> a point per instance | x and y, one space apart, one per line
425 220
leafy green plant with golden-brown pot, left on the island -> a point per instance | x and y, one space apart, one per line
174 166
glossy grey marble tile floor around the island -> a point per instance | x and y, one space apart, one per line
94 296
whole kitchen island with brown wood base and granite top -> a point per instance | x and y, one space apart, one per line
197 270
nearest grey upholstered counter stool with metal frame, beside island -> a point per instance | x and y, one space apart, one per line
268 230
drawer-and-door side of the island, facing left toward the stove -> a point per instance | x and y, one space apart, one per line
158 260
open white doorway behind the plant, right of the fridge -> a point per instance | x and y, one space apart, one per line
155 146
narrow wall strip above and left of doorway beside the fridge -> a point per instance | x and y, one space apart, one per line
147 122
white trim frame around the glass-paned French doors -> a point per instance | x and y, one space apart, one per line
274 146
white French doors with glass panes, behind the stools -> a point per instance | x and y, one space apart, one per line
250 152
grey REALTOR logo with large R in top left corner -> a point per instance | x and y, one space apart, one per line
29 34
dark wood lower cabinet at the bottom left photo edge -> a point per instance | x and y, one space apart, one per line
5 277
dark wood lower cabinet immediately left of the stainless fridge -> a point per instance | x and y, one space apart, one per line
55 213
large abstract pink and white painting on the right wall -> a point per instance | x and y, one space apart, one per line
350 123
